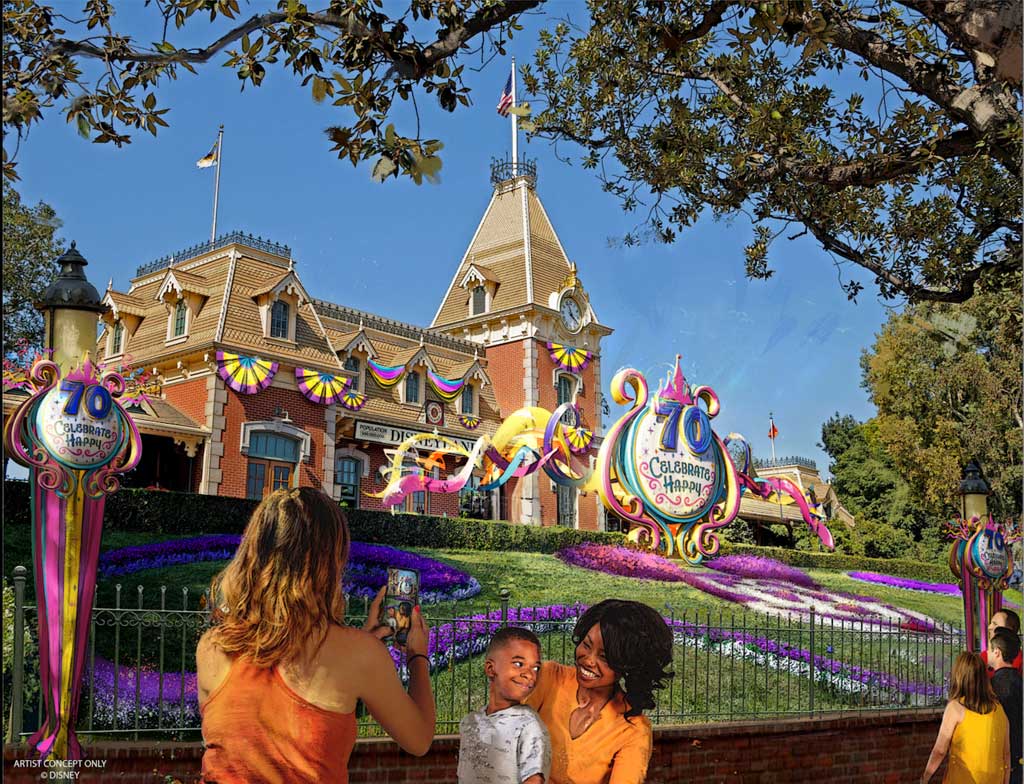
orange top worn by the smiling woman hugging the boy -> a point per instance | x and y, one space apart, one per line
613 751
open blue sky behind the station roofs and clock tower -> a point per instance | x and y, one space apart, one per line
790 345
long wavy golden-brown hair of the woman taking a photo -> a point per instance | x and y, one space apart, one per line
283 588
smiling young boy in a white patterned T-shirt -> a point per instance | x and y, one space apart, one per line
507 743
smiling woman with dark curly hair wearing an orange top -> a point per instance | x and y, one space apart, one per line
594 711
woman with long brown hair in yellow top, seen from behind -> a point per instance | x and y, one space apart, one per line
975 732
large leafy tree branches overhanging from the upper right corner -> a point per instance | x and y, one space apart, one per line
888 130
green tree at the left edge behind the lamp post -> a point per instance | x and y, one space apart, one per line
31 248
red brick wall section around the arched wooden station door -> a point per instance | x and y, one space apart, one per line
260 408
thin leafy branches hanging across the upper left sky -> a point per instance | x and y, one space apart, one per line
106 82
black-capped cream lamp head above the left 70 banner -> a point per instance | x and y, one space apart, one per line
71 307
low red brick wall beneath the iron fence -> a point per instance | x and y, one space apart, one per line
887 749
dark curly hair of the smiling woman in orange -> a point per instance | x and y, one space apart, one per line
637 647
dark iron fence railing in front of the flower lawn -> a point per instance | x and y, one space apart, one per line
140 677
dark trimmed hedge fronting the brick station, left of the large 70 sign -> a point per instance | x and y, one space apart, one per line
183 513
